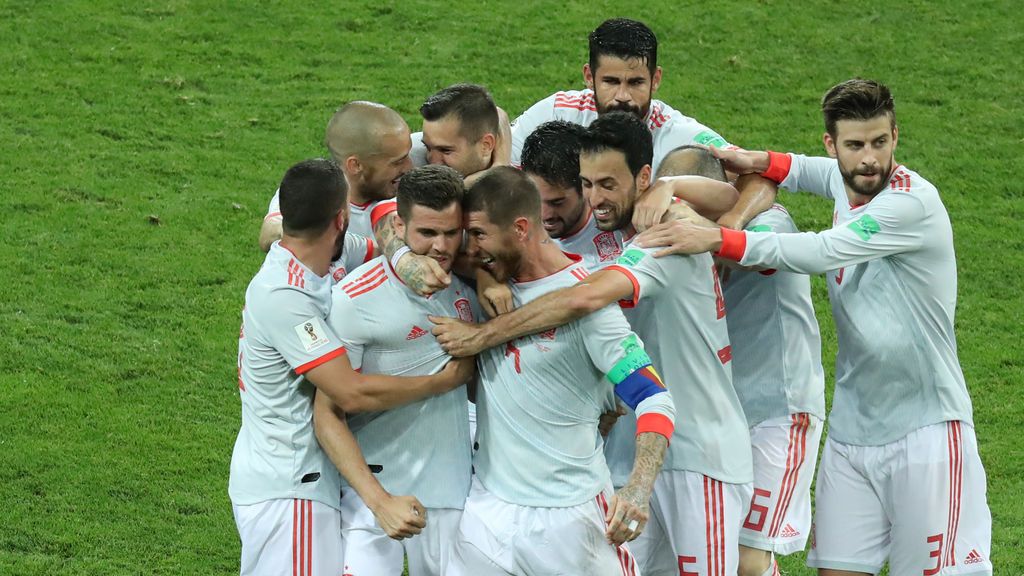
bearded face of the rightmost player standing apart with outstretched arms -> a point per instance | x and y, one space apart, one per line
865 150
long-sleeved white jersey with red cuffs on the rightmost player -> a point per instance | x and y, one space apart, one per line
892 282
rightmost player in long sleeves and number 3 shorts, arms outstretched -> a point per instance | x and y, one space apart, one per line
901 477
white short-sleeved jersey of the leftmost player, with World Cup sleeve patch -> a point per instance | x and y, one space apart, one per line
284 336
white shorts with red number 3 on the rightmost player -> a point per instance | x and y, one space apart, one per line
919 502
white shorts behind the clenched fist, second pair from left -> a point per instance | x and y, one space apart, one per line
369 552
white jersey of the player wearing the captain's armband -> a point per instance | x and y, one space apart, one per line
540 400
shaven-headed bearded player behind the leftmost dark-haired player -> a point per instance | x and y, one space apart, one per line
372 145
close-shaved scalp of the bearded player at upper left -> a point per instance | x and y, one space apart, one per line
360 128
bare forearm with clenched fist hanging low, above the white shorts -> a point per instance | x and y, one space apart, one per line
400 517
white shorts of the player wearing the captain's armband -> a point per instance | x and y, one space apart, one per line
499 539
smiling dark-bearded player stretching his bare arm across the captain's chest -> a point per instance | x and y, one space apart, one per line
677 308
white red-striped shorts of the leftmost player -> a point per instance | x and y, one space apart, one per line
290 538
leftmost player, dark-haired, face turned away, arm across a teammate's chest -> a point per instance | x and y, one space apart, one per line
285 491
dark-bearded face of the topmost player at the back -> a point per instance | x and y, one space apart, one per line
623 85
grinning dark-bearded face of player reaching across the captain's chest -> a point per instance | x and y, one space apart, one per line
611 189
